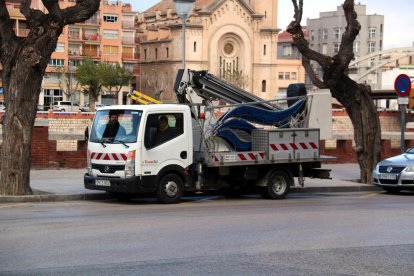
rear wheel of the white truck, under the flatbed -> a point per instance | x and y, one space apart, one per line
277 184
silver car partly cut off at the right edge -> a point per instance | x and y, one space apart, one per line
396 173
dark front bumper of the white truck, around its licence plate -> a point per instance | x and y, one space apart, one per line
132 185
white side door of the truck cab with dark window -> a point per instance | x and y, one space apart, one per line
165 142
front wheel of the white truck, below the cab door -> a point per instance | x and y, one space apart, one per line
170 189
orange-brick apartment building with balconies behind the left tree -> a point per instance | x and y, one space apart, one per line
108 36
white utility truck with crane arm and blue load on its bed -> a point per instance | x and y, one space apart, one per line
218 137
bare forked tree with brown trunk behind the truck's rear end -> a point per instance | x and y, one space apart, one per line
354 97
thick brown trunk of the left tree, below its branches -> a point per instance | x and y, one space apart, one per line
18 127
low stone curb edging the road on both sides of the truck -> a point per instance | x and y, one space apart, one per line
103 196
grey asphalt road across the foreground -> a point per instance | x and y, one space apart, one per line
306 234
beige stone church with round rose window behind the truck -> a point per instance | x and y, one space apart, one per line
222 36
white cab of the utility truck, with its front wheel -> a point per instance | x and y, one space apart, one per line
138 156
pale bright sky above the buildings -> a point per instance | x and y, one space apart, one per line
398 16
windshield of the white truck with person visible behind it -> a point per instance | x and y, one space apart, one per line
116 126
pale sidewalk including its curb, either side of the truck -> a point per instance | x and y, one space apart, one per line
67 184
